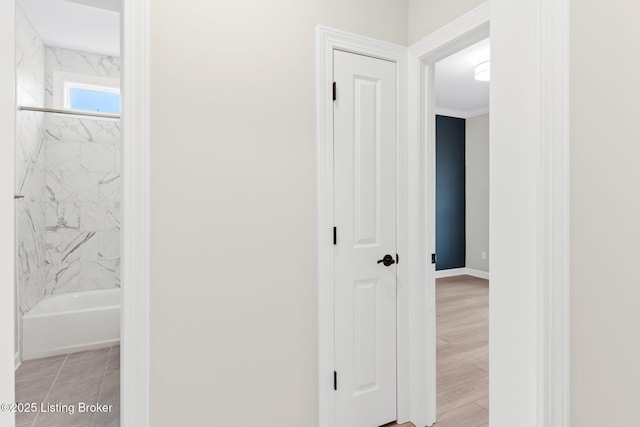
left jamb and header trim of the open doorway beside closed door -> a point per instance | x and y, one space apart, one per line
459 34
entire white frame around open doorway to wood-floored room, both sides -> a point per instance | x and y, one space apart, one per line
543 360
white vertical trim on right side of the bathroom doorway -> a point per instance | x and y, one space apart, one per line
135 357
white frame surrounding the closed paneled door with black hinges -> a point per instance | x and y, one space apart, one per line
327 41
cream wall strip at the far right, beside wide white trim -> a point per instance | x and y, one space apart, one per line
605 212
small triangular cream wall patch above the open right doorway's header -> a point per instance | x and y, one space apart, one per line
426 16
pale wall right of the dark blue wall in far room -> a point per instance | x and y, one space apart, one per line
477 192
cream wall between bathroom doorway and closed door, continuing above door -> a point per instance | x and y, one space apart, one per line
233 211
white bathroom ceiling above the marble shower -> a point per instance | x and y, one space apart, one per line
86 25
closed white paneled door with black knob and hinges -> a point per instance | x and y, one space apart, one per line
365 245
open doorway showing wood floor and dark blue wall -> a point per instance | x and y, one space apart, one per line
462 236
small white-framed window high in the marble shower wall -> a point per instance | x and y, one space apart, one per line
86 93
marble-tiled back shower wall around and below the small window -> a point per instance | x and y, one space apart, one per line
83 186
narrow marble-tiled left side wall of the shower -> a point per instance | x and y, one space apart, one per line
30 165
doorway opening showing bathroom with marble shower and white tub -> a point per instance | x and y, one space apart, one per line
68 213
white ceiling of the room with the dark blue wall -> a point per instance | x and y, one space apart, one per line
458 94
